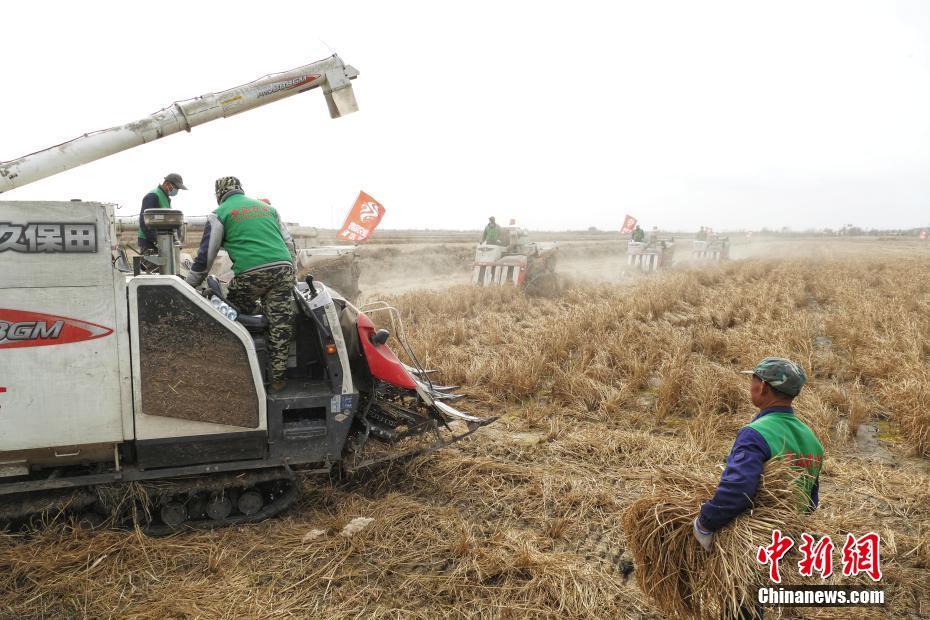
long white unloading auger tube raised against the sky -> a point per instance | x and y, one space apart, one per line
331 74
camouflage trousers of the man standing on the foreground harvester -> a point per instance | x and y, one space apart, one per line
273 289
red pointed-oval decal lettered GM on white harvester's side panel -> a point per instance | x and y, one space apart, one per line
23 328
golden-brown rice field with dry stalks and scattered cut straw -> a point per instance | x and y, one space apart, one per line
602 392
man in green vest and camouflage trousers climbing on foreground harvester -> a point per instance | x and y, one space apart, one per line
262 252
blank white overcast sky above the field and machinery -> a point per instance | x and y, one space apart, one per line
561 115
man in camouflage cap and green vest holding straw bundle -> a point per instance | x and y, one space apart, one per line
775 432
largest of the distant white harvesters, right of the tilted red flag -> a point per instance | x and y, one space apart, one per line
514 260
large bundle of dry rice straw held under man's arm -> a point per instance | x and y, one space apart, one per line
675 572
